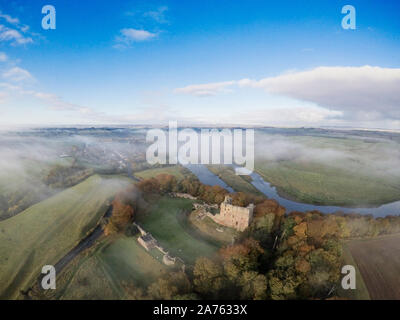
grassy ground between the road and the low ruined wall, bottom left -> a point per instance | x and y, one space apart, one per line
107 270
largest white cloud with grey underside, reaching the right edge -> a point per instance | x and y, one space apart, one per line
363 92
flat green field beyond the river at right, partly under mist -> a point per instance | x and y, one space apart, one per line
329 171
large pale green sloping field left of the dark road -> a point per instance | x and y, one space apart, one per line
45 232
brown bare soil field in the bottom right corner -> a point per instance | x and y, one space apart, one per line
379 263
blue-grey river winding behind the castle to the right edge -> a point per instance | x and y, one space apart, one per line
207 177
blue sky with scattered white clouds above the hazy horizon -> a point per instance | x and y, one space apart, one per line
281 63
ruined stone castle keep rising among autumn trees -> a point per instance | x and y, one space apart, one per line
235 217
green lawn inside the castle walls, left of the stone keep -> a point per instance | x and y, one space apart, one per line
167 222
